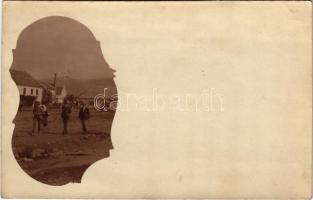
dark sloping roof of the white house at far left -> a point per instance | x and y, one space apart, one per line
24 79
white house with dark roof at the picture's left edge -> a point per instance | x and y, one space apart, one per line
29 88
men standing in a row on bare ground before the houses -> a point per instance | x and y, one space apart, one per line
40 115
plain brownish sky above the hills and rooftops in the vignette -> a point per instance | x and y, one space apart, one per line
60 45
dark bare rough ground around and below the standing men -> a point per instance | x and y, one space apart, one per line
56 159
